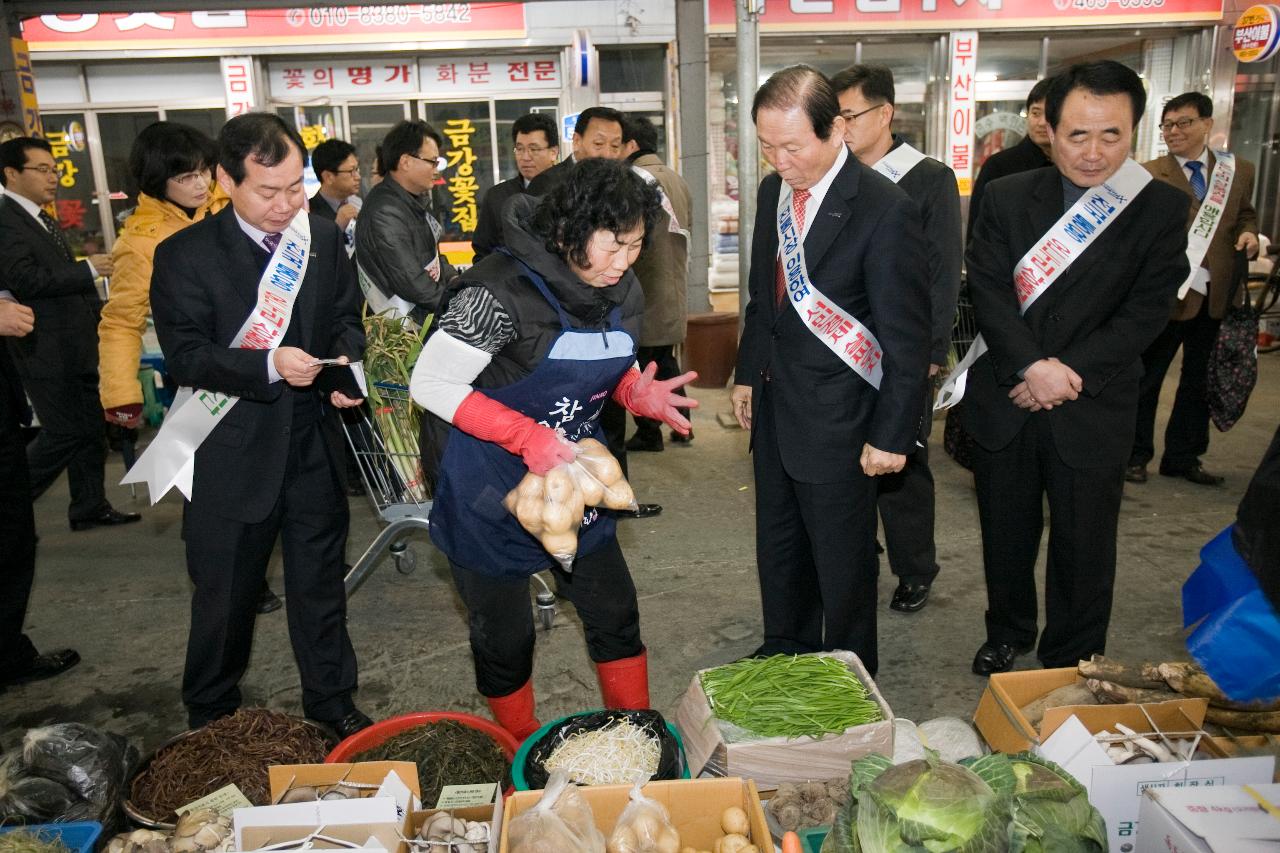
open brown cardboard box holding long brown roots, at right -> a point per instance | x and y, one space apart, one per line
1000 719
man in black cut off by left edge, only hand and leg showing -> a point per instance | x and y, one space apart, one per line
20 662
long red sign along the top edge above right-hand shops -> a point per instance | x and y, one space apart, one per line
806 16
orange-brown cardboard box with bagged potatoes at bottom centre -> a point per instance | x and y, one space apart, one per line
694 806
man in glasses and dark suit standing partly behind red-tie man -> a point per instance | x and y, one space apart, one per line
906 500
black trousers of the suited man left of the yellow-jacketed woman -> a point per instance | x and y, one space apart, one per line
72 436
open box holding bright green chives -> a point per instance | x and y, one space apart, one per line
776 760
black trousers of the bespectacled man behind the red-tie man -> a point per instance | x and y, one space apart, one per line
907 508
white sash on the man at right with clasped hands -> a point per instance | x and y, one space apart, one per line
1054 253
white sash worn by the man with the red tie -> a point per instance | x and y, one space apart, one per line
849 340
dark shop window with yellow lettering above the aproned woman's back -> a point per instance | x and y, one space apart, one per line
469 171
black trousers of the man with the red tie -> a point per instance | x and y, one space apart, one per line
816 555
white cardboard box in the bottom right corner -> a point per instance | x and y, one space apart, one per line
1228 819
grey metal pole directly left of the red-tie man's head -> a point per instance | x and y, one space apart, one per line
748 34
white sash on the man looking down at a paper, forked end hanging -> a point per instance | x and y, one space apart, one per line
170 460
